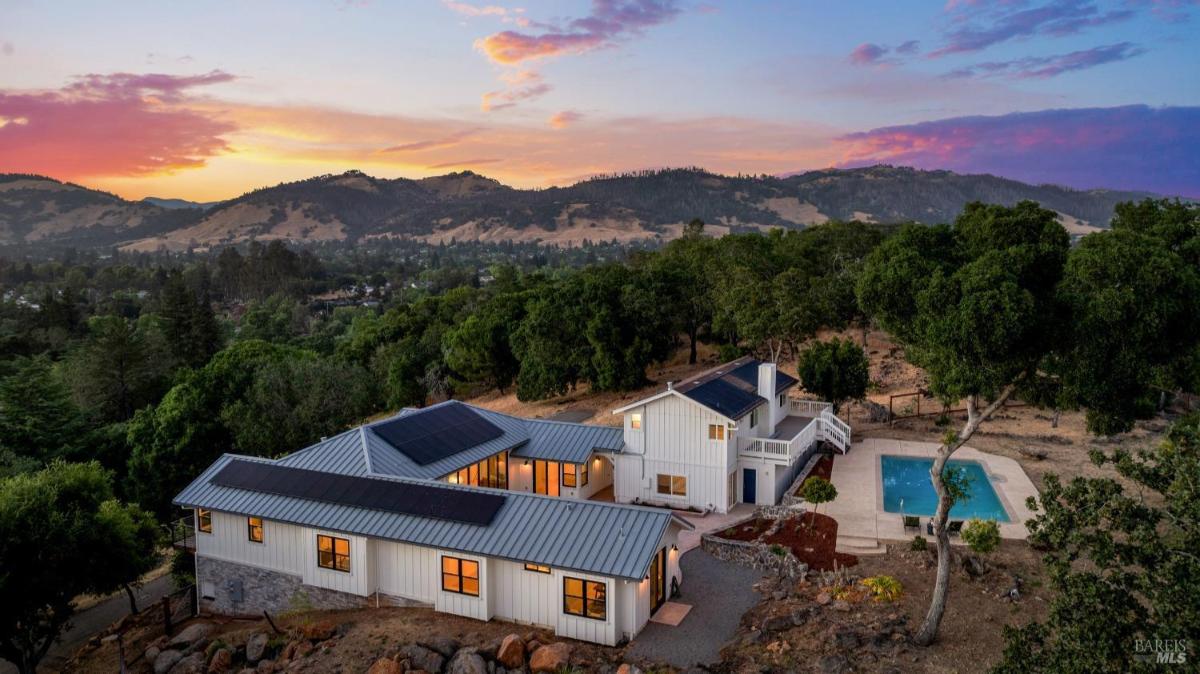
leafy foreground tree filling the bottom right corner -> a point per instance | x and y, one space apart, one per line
1124 564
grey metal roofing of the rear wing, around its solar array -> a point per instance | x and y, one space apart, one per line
361 452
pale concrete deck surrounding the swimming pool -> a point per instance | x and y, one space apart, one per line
859 508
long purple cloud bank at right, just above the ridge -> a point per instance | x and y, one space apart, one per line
1127 148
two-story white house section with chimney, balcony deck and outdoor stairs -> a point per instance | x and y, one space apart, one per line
729 436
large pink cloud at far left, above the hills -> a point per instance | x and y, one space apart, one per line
121 124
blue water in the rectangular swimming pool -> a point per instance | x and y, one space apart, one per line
908 479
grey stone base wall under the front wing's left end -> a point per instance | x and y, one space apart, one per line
263 591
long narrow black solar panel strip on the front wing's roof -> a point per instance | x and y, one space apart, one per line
422 501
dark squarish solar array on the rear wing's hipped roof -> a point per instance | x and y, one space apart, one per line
436 434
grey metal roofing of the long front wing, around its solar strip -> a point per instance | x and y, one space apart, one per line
587 537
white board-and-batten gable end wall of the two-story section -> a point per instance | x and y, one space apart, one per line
675 435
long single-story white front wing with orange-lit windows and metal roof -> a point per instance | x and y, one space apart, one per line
272 537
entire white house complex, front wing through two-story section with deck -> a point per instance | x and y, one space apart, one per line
488 515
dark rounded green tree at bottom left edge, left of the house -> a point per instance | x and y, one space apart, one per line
62 535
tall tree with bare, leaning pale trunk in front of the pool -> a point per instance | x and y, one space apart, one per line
1000 300
